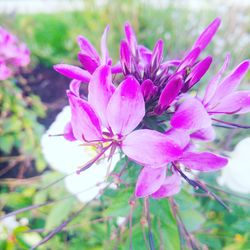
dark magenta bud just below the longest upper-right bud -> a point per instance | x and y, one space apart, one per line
198 71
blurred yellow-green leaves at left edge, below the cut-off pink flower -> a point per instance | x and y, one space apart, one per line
19 128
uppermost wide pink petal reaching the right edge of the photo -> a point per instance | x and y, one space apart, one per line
231 82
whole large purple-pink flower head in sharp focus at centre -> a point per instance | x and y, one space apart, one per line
142 106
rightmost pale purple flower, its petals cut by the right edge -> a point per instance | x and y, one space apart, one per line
196 115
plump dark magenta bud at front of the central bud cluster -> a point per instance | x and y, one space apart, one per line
170 92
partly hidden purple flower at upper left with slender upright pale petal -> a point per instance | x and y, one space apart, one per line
89 59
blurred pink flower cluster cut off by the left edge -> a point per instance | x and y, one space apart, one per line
13 54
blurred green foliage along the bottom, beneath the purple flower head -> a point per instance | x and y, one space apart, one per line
105 222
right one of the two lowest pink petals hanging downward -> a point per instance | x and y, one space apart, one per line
170 187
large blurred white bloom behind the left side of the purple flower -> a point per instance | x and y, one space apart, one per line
66 157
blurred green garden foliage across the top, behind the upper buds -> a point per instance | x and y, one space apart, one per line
52 38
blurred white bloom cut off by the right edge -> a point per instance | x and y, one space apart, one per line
236 175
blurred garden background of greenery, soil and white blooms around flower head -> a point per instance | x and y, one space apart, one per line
32 99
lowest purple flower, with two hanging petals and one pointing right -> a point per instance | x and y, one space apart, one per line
157 182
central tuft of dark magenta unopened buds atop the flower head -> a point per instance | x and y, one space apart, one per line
163 81
